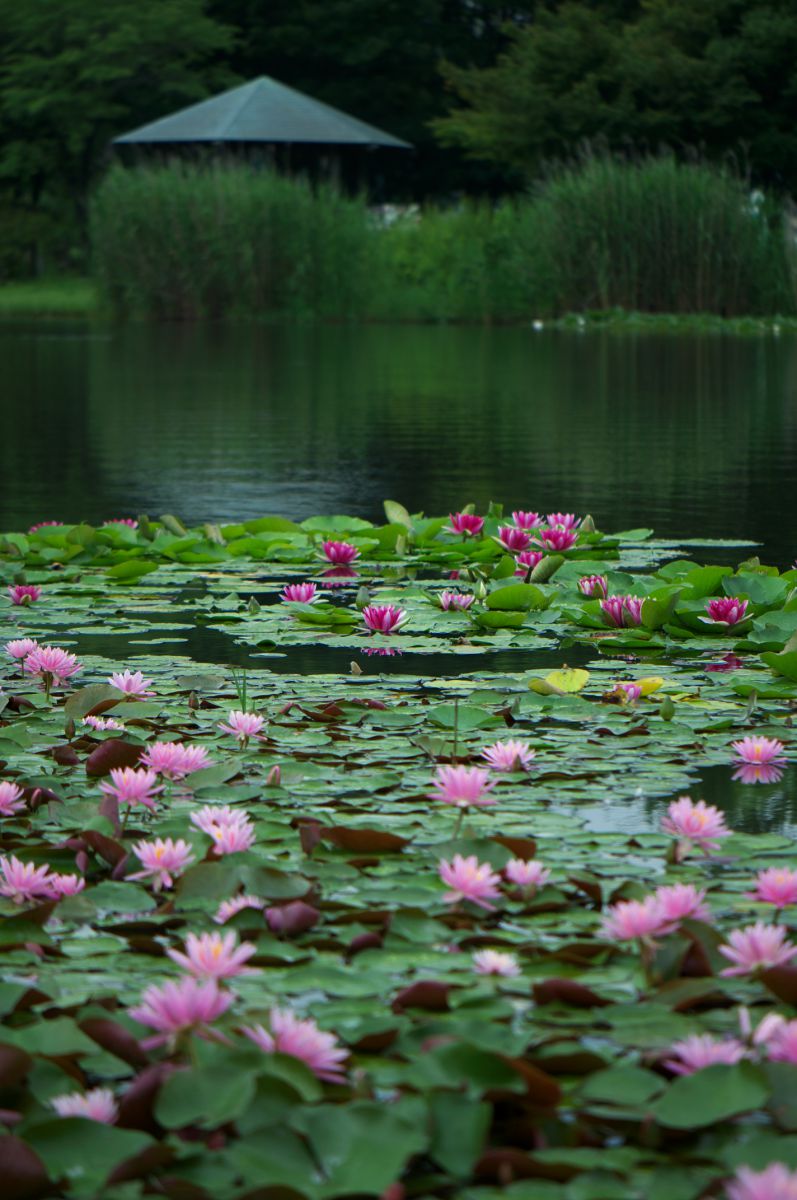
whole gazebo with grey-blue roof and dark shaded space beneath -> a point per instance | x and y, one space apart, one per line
267 122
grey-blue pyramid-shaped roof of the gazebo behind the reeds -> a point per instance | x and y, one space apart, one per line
261 111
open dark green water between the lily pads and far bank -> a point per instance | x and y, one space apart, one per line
679 433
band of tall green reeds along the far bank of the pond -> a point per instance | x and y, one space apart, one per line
650 236
